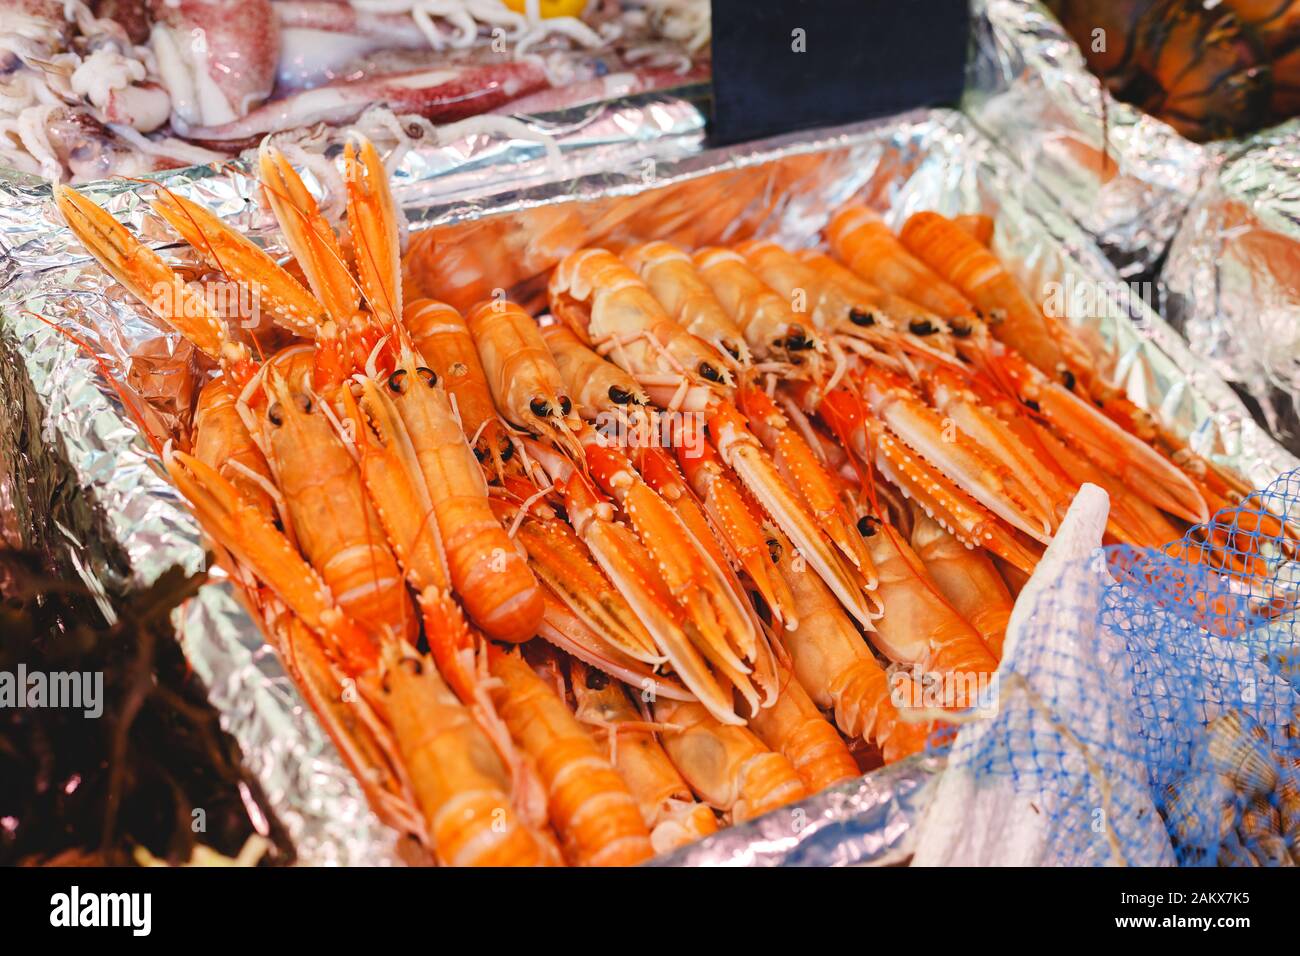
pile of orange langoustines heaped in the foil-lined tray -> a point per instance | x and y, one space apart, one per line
829 475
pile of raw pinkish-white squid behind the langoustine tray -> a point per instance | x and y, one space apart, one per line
94 89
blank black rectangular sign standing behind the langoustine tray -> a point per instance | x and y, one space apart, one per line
782 66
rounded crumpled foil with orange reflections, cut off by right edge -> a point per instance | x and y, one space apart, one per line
1232 282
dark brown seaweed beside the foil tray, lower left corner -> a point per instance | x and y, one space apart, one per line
93 790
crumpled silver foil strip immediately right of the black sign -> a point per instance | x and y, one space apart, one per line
1126 178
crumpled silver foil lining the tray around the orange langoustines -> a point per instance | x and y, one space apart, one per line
655 181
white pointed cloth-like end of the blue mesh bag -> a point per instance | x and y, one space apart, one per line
990 819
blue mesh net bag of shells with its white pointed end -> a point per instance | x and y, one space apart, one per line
1147 704
